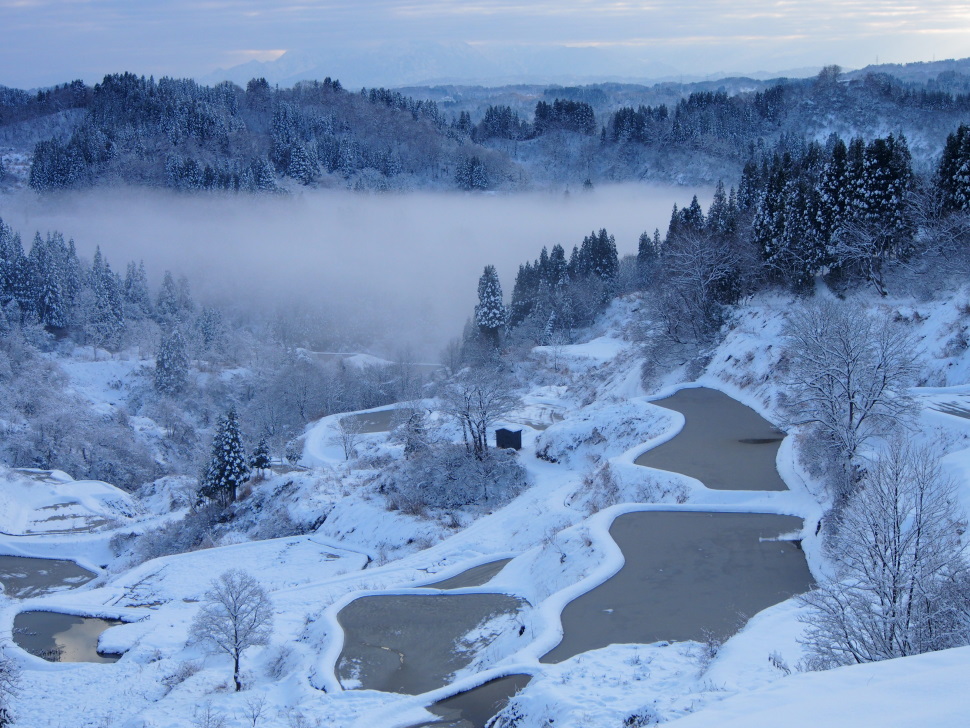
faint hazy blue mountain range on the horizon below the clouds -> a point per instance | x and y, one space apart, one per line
414 63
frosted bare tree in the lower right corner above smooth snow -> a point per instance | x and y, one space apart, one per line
902 582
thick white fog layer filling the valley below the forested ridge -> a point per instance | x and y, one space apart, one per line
387 271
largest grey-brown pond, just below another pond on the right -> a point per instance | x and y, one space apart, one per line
685 573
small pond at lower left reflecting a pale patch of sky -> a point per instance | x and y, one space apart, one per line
61 637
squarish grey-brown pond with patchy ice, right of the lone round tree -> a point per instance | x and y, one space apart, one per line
409 643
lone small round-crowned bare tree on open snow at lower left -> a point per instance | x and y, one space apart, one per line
237 615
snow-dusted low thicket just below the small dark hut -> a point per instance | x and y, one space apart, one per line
447 476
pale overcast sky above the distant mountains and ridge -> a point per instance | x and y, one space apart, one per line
50 41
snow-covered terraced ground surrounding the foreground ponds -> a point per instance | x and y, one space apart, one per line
557 532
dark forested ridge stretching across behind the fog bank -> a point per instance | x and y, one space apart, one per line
178 134
